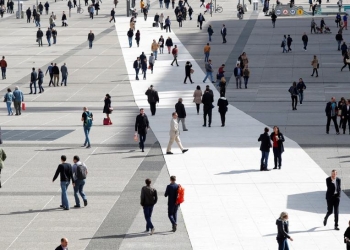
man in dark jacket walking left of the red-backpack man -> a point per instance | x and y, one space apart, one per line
149 198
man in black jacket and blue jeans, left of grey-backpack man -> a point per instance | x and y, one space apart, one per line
66 175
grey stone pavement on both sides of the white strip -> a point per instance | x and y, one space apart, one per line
50 127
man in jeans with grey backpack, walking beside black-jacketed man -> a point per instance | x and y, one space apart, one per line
79 175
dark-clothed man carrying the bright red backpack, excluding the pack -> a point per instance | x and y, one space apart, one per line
171 192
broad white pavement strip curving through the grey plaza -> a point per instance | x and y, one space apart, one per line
229 203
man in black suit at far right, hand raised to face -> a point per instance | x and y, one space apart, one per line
333 197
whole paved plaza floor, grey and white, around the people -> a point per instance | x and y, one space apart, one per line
229 204
